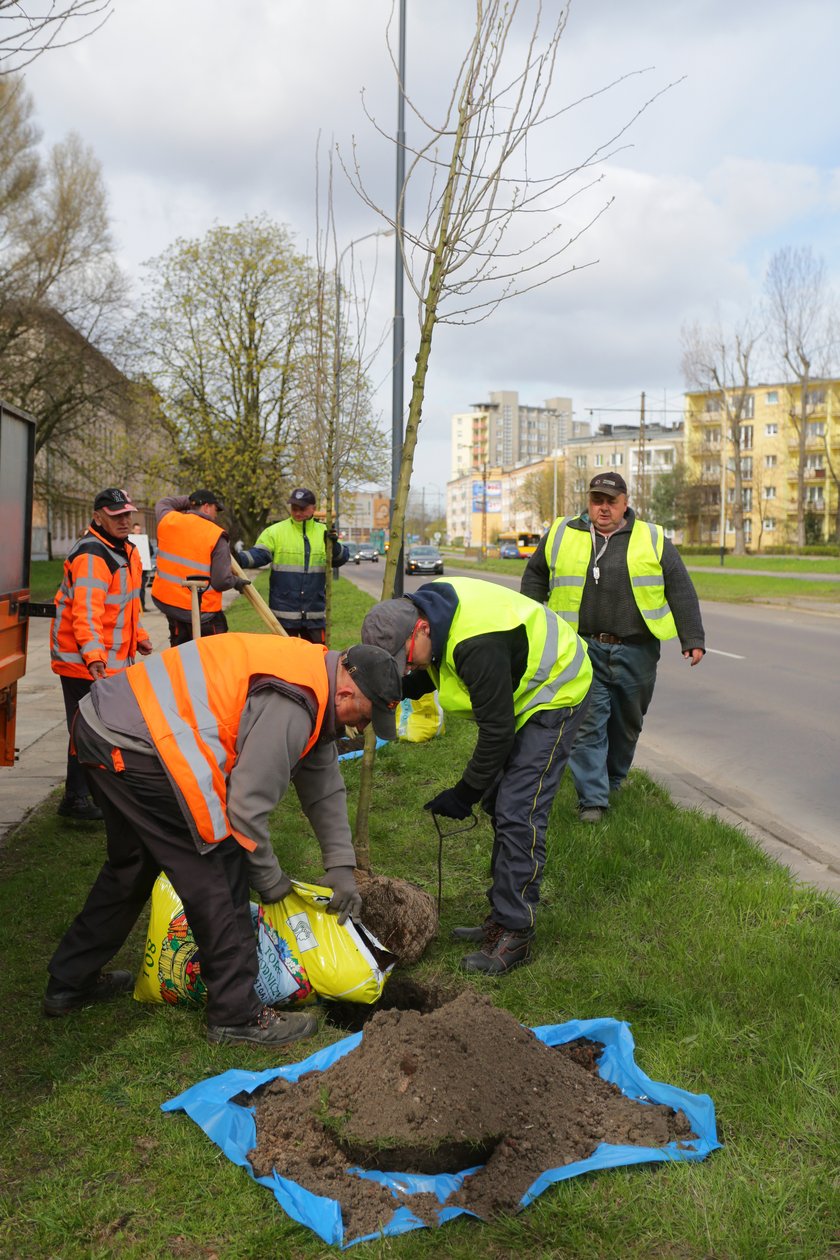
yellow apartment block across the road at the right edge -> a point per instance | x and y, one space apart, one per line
769 454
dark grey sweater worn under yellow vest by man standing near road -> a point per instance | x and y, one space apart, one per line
609 607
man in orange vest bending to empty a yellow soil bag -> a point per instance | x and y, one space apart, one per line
187 755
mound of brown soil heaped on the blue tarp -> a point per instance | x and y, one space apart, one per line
440 1092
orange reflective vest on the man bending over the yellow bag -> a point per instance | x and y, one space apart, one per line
192 699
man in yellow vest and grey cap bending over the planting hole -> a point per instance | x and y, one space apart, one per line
525 676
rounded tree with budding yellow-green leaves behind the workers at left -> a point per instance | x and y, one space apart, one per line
224 340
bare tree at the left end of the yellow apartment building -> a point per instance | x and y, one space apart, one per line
720 362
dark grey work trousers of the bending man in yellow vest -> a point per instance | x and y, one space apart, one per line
521 806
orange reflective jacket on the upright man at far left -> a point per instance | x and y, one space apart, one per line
98 608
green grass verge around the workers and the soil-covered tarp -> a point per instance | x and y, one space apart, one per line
726 970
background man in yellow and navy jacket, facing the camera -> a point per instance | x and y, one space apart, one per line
297 551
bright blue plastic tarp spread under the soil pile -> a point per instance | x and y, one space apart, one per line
232 1128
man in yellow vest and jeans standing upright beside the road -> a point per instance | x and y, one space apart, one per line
624 588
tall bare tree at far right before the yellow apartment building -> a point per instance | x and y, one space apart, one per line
804 333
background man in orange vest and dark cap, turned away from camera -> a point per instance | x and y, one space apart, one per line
191 544
